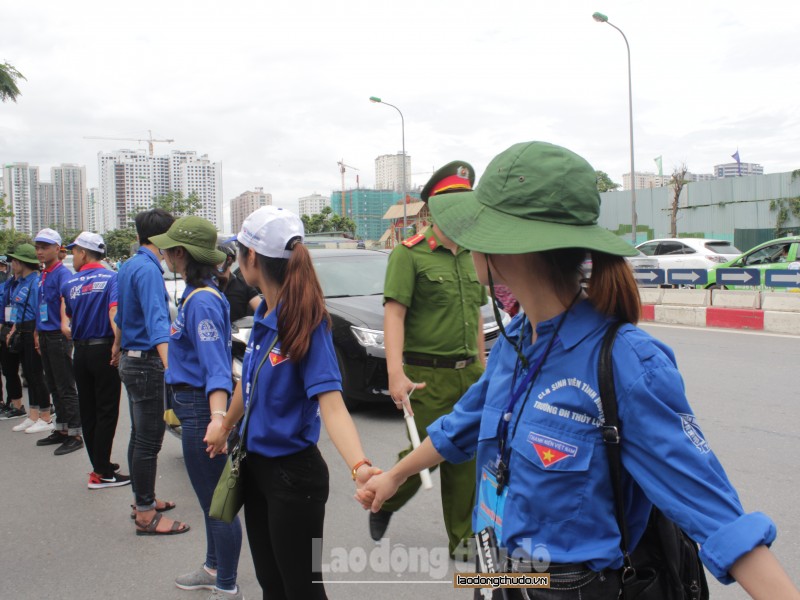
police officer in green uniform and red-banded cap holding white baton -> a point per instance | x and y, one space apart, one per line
434 337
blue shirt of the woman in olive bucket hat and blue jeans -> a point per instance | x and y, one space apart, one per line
200 342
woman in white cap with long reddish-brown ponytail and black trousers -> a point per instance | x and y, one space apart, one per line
290 384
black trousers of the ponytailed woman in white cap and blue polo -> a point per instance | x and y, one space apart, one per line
284 506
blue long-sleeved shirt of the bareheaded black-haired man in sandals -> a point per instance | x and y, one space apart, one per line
143 309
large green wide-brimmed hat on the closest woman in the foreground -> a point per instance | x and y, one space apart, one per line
533 197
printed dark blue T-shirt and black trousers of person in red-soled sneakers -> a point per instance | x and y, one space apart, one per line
89 295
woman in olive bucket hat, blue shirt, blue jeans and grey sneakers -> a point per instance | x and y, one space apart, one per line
199 386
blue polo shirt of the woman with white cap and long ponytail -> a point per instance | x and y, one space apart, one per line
284 418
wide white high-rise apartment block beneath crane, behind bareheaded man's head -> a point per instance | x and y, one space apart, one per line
131 179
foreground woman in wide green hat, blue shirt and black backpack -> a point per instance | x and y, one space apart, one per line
535 418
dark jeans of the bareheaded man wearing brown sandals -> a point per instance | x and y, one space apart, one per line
144 381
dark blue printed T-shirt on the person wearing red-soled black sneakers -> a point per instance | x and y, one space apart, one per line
89 295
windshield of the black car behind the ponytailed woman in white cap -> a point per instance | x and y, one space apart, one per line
351 275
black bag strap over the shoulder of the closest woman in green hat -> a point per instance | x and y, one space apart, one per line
612 437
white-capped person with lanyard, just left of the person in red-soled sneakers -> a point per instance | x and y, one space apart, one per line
55 348
